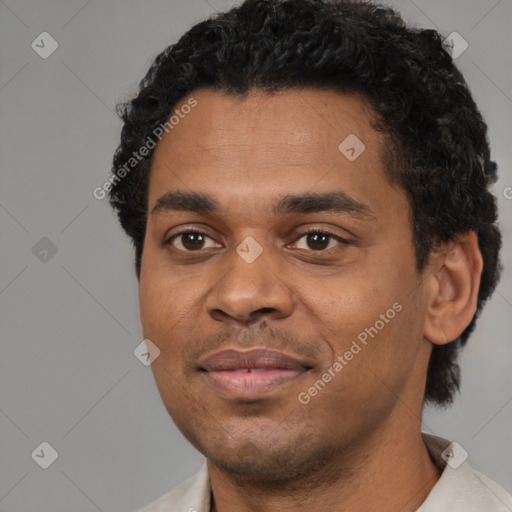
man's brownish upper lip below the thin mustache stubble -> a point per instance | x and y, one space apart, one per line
232 359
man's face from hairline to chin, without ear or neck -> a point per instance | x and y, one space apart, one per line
254 278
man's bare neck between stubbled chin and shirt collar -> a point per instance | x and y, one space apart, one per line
391 471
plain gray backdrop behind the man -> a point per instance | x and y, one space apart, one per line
69 325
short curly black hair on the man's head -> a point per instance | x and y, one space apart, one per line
437 145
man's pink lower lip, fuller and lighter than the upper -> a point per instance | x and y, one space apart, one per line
253 384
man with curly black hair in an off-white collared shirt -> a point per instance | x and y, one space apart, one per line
306 187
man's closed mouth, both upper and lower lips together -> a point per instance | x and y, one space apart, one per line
251 374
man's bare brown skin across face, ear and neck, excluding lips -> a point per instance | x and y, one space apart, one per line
356 445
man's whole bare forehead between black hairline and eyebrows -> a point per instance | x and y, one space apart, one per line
248 147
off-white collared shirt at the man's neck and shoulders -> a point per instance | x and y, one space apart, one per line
459 489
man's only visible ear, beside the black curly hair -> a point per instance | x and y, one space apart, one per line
454 273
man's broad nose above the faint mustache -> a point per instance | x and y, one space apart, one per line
246 292
